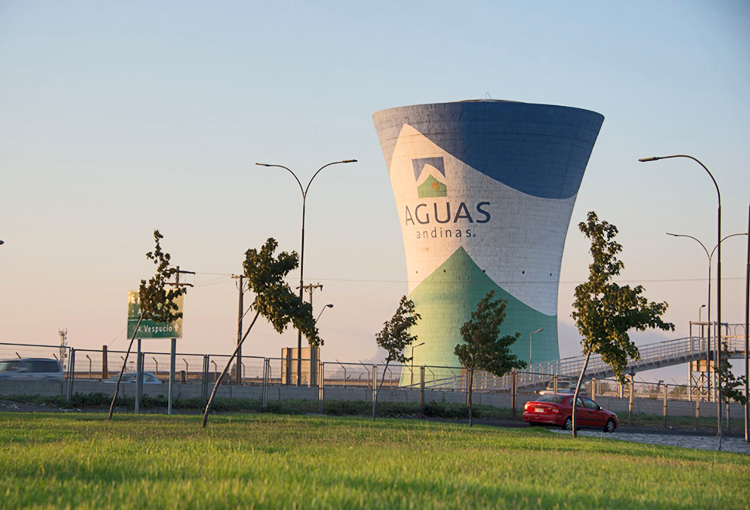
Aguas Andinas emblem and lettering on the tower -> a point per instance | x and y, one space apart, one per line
441 212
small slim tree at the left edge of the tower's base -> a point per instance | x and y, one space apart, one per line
395 337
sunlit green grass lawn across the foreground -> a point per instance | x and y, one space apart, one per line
274 461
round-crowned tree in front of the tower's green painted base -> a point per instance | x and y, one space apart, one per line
483 348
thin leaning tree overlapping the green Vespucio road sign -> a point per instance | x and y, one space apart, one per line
157 301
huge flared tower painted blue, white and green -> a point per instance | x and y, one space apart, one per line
484 191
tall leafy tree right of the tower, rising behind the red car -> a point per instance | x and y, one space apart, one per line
604 311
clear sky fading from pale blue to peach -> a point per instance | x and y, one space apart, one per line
117 119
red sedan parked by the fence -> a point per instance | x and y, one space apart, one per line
558 410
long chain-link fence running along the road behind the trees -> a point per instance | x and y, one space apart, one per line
89 371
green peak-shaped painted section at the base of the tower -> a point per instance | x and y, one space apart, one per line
445 300
